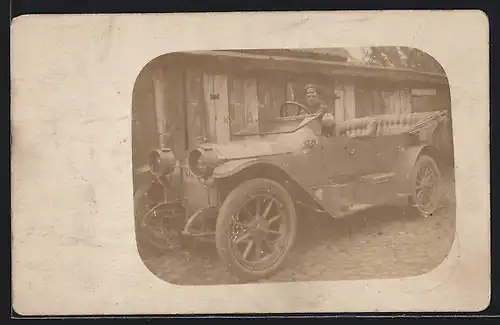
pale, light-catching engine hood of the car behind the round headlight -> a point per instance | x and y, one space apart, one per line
268 145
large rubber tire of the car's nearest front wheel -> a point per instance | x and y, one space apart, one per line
233 206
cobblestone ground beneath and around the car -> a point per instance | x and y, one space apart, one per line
378 243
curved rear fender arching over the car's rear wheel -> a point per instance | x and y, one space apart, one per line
406 162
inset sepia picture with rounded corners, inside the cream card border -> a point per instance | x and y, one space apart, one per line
293 164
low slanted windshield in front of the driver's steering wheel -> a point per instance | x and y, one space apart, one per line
277 125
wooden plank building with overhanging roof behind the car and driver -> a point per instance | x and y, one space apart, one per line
181 98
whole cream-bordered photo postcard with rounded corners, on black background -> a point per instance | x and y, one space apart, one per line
249 163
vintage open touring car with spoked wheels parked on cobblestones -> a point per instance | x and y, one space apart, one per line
246 194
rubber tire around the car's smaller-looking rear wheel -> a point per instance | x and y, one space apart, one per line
417 205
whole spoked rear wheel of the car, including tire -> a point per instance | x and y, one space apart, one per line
426 186
